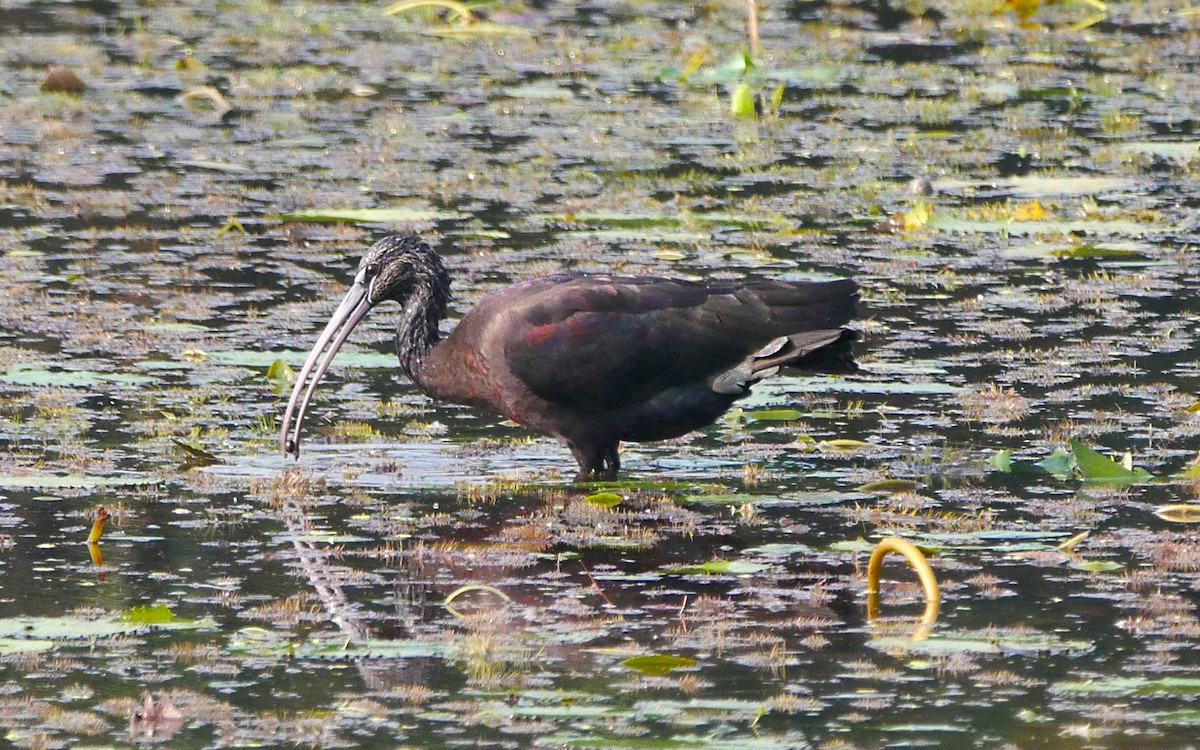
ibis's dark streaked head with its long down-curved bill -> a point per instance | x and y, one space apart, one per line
399 268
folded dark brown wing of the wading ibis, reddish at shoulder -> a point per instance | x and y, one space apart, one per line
601 344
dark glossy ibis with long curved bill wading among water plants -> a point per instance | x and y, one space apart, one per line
593 361
